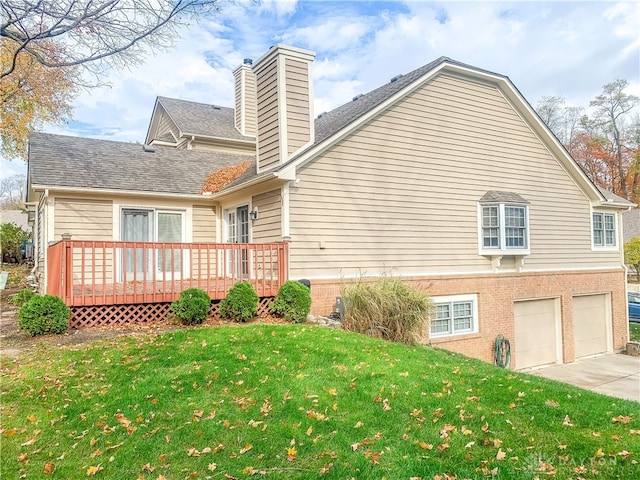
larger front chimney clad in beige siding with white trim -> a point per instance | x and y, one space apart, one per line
284 104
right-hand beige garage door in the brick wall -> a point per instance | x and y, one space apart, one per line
590 324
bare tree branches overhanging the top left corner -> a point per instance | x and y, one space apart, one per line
93 34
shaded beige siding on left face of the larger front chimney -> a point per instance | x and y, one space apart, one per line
269 140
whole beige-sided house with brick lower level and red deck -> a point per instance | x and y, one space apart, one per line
444 176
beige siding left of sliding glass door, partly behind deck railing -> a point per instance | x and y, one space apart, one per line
88 220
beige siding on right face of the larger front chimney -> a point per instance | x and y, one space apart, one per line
298 104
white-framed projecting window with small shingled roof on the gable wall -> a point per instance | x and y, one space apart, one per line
503 224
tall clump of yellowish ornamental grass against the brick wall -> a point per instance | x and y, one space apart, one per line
389 308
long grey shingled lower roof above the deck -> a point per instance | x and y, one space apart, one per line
87 163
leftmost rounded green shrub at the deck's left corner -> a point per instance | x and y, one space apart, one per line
44 314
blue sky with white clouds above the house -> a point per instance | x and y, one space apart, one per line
546 48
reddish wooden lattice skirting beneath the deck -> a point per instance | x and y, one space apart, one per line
145 313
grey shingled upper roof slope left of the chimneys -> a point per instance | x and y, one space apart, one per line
202 120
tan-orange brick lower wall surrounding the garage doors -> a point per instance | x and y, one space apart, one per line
496 295
